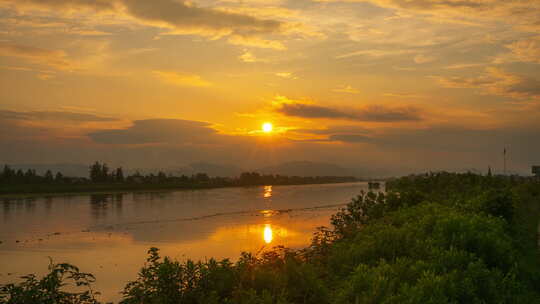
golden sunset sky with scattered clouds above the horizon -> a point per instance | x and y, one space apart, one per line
391 85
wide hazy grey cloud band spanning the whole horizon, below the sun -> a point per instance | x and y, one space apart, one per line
162 143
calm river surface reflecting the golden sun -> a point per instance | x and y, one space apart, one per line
109 234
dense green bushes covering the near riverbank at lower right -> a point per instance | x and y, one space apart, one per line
434 238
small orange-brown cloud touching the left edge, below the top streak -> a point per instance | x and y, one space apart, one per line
53 58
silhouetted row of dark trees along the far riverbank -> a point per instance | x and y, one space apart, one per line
101 173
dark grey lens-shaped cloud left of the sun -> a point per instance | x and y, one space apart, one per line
156 131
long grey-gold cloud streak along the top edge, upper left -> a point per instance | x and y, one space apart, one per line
180 17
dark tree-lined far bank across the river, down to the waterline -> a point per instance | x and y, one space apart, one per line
102 179
